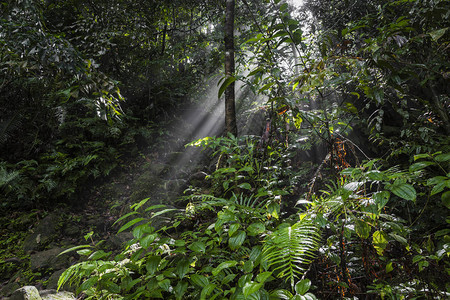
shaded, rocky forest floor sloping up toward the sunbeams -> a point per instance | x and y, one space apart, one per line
31 240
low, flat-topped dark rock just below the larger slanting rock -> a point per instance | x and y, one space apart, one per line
49 259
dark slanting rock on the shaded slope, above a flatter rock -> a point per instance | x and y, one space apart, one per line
43 233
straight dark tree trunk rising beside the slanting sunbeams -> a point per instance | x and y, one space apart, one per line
230 111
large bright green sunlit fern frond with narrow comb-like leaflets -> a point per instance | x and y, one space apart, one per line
289 249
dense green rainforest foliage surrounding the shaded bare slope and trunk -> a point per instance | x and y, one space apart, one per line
345 194
